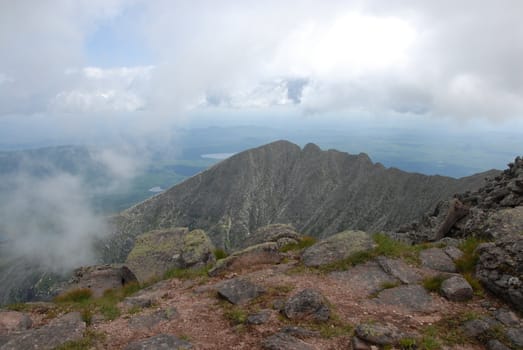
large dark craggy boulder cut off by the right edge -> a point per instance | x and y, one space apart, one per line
500 268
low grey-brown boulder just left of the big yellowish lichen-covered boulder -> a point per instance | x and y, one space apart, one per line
100 278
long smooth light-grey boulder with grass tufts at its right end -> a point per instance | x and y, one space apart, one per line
337 247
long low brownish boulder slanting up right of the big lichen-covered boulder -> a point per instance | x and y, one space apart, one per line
260 254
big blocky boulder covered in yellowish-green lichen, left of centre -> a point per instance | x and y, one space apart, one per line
158 251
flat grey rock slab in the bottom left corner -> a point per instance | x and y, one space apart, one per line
59 331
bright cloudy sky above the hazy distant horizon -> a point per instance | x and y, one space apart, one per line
85 68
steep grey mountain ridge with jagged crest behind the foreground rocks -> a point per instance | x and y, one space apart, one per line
319 192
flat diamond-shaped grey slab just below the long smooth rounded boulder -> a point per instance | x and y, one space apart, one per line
365 278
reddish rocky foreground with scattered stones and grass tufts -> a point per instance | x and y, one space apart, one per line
377 296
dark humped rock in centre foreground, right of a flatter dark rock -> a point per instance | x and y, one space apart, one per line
307 304
